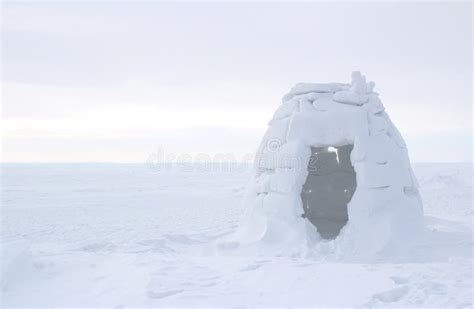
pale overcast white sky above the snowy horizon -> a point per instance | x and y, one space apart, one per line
114 82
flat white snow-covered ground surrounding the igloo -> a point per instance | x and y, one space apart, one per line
132 235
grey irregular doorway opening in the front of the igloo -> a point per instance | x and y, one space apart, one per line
328 189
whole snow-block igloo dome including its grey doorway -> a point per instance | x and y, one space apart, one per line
332 168
